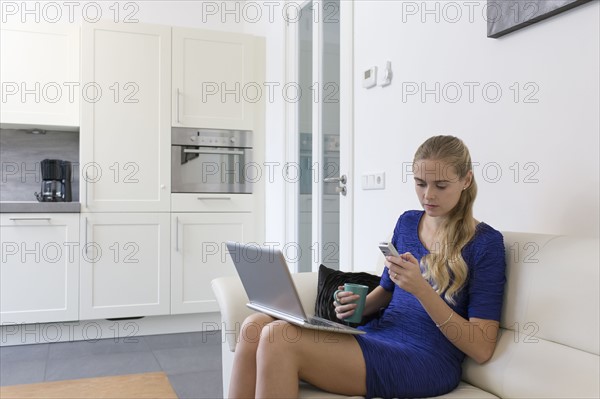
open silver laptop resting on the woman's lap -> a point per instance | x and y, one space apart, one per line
271 290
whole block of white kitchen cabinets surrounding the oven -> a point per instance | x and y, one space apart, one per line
133 254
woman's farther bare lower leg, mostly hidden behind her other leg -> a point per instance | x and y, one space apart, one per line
243 374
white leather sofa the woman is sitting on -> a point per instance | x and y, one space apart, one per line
549 340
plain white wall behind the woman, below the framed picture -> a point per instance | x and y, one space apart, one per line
554 141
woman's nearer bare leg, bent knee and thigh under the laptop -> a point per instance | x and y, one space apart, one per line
287 353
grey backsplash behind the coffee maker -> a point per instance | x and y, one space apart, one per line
20 155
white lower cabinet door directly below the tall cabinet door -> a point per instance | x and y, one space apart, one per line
124 265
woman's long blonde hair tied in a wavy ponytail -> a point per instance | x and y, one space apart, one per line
446 268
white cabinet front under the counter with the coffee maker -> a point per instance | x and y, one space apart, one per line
39 275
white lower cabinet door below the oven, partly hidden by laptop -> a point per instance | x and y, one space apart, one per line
199 255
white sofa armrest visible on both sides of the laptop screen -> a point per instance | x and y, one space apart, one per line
232 299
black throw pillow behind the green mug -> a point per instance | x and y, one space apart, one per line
330 280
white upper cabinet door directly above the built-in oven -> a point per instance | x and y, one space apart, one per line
214 80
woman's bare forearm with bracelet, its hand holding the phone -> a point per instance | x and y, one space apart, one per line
475 337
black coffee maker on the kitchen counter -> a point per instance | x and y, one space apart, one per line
56 181
